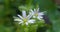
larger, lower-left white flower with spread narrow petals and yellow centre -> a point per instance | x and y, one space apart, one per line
24 19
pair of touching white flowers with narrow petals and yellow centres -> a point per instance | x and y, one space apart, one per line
30 18
